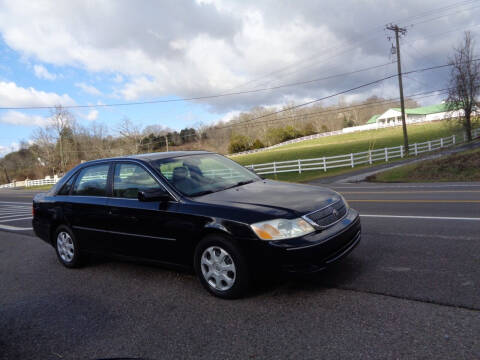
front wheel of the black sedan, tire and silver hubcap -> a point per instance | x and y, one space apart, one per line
221 267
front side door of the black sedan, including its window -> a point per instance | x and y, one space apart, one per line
143 229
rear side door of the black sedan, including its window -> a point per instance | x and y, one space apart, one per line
86 207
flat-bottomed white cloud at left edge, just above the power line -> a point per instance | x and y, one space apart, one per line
12 95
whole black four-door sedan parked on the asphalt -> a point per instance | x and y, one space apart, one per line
194 209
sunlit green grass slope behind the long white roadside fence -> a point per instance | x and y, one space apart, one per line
354 142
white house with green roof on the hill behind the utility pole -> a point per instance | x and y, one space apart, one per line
393 116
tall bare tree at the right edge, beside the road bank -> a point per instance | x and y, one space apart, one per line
464 84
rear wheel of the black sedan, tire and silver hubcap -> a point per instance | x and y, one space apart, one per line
67 247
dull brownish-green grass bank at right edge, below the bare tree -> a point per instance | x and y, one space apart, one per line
464 166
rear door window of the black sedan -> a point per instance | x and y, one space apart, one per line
92 181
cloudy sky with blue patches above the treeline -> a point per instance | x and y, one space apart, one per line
93 53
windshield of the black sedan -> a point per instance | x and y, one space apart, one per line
197 175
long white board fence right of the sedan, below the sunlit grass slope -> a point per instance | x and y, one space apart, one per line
354 159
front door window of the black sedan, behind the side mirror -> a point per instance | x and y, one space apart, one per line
129 179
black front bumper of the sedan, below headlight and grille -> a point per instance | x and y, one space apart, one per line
315 251
